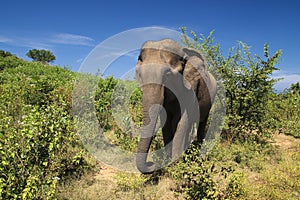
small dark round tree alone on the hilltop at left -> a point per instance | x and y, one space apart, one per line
42 55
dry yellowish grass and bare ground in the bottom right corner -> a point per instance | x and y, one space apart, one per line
279 178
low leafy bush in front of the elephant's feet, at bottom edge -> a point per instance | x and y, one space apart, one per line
202 176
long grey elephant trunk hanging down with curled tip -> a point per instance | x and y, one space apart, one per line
152 101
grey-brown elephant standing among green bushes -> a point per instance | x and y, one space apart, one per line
177 88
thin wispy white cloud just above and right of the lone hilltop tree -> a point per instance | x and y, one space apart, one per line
72 39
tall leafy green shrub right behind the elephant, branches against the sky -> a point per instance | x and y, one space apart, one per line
247 82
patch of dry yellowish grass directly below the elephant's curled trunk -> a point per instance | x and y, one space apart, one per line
108 183
